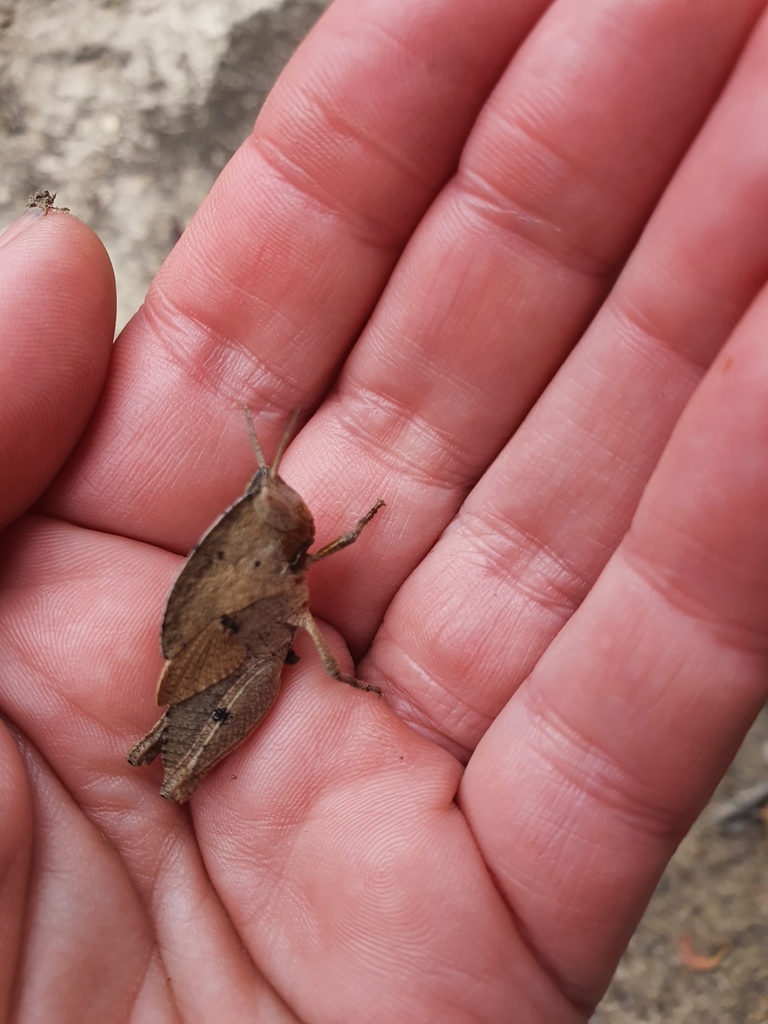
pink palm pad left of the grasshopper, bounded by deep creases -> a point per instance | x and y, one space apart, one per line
79 616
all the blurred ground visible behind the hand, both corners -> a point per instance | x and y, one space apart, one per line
130 109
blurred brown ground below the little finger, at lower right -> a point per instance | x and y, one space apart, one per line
716 891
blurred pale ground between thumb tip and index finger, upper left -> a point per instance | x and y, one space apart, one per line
130 109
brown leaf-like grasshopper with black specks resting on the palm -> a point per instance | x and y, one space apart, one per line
230 624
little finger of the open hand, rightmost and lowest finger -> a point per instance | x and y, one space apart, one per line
598 767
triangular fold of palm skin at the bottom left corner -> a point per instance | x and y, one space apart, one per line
89 950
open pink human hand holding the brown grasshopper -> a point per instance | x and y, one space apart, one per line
513 260
